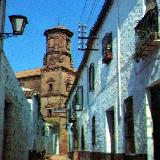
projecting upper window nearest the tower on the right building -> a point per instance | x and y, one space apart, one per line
79 98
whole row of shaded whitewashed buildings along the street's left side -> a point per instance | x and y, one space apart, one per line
22 128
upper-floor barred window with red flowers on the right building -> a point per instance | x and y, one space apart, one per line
107 48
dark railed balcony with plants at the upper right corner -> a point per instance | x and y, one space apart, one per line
147 34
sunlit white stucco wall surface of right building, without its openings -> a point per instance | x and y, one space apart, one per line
134 79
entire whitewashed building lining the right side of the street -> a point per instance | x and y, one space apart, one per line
113 107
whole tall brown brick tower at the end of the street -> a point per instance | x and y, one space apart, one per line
57 76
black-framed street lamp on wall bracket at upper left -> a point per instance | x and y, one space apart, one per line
18 24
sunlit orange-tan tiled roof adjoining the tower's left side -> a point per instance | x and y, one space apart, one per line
28 73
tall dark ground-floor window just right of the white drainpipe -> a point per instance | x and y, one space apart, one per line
129 126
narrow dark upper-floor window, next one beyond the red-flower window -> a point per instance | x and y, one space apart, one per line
91 77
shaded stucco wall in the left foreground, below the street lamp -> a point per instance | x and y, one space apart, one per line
19 113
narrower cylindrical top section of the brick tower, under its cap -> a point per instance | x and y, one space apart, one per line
58 47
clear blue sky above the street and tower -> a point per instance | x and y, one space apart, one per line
27 51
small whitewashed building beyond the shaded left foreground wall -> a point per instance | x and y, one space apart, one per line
42 135
